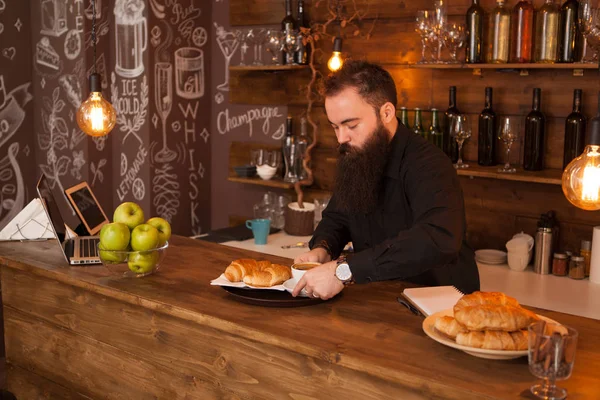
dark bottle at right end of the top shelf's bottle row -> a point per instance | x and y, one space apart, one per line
569 37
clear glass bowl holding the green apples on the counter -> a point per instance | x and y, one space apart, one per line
133 264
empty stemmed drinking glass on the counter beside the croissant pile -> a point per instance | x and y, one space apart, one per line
551 357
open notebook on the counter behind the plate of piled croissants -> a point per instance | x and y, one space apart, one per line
429 300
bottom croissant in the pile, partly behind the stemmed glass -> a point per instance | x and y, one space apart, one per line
494 340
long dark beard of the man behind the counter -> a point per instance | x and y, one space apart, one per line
360 173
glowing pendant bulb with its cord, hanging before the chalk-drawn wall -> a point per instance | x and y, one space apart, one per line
96 116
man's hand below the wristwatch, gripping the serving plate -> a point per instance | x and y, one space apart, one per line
320 282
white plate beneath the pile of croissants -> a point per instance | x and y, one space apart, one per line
429 329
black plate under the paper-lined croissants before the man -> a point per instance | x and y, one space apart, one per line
269 298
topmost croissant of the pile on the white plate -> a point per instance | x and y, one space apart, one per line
494 318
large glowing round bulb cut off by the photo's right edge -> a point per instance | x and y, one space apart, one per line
581 179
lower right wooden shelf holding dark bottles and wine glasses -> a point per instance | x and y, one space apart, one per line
547 176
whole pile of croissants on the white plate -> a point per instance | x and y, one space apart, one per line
488 320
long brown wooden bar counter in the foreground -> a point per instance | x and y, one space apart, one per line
79 333
